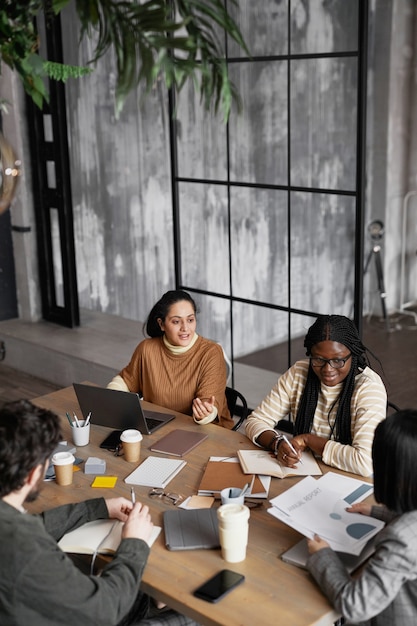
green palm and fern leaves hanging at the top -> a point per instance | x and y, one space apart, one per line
176 40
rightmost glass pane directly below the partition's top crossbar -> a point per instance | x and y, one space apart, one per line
323 123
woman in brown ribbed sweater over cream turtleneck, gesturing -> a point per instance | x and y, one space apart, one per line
177 368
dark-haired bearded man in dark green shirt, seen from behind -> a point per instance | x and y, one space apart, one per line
39 583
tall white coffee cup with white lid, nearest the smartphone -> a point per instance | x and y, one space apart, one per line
233 522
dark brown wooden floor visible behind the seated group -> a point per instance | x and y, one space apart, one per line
396 349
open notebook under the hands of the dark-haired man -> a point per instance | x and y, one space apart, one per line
103 536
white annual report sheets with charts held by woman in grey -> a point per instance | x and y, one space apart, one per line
319 507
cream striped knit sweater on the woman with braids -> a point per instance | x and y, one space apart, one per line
368 408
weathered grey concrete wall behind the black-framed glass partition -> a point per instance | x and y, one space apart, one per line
122 194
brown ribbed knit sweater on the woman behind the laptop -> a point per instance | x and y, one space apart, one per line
174 380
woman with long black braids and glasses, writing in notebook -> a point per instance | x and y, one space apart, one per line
333 401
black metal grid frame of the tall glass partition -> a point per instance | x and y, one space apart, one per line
359 193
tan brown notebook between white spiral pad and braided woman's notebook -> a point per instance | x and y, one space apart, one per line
221 474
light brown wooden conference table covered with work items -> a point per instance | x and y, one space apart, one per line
273 591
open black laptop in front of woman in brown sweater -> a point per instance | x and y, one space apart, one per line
118 409
